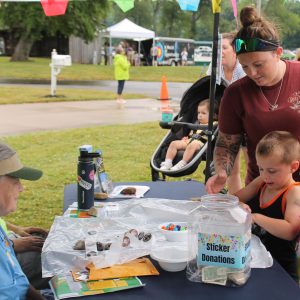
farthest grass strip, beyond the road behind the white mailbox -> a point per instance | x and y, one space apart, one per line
38 69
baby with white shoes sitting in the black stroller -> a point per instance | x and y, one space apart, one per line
191 143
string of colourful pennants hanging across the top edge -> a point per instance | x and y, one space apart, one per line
58 7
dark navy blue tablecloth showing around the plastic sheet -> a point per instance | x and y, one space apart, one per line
272 283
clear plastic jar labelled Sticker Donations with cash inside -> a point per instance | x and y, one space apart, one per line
219 240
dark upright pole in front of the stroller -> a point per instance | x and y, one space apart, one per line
212 91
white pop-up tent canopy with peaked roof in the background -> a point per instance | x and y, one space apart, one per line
126 29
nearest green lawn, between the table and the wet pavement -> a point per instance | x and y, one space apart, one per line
127 150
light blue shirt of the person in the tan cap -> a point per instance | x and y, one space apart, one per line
13 282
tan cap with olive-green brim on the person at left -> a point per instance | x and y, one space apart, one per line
11 165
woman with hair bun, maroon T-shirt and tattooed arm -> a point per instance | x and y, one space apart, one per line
265 100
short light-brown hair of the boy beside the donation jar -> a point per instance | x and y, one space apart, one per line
283 143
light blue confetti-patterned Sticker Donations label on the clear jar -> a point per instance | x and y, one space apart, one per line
229 251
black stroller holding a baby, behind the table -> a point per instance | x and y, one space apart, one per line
181 125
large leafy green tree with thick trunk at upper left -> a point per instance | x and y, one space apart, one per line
26 22
